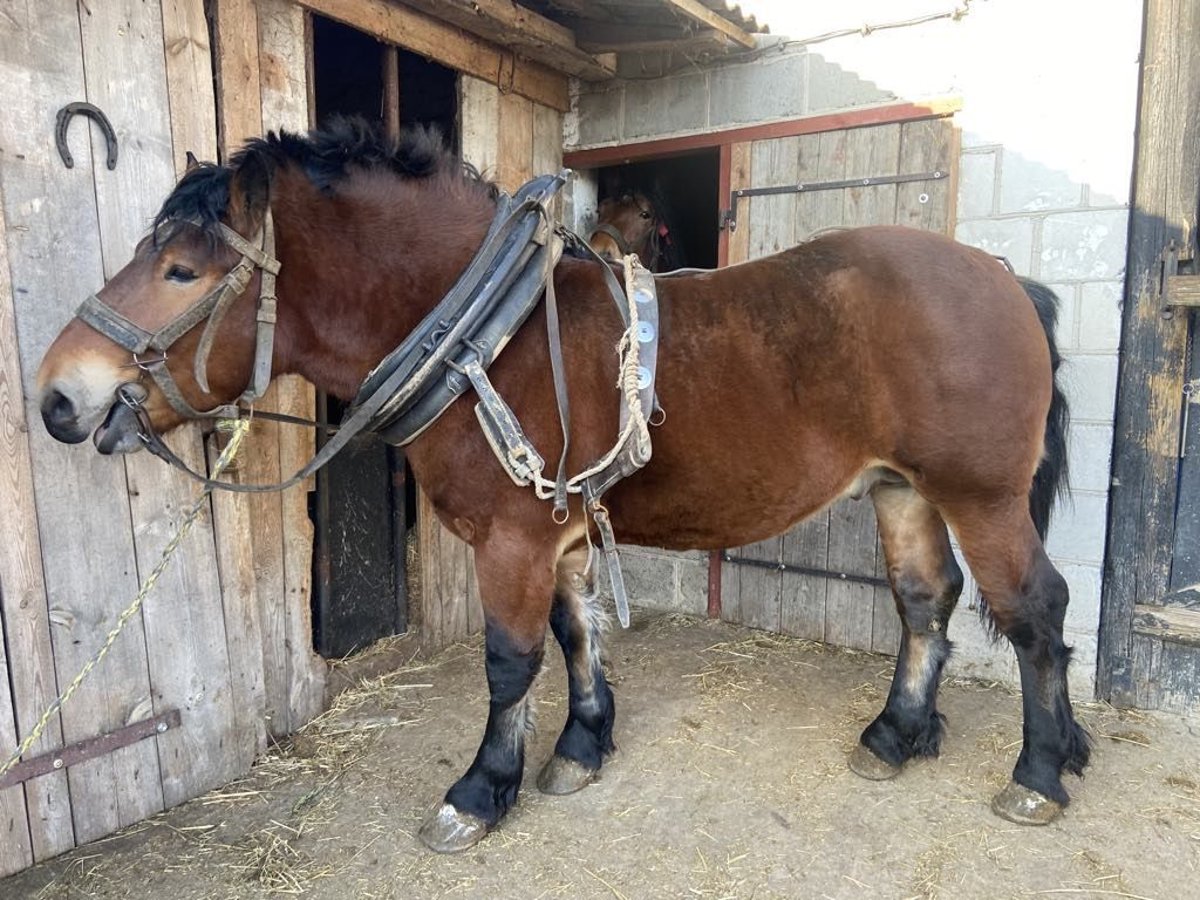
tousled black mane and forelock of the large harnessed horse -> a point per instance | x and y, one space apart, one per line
327 157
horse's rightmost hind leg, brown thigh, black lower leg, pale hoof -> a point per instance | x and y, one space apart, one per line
1028 601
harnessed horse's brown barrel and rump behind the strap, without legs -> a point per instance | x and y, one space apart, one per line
787 377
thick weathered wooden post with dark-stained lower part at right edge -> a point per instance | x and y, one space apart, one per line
1154 349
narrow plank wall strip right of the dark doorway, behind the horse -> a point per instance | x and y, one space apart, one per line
509 139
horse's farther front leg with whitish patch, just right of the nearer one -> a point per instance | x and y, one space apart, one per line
579 625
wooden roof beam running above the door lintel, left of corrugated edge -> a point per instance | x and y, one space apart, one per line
518 28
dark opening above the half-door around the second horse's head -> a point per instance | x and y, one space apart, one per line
685 188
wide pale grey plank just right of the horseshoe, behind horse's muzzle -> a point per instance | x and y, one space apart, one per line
184 623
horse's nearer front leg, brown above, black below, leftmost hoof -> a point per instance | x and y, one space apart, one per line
517 593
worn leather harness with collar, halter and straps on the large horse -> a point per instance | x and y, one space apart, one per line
449 351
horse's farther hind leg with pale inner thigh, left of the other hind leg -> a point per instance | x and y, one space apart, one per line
926 583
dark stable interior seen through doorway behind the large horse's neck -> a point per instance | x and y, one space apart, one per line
365 501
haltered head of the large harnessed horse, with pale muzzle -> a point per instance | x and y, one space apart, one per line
173 332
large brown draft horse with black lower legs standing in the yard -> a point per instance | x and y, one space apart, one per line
881 362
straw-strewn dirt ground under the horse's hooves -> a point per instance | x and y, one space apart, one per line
730 782
